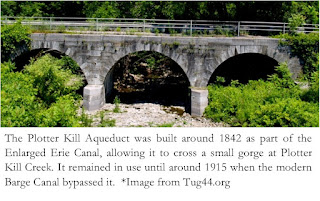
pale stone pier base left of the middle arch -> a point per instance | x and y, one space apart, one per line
93 97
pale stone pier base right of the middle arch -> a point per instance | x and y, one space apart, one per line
199 101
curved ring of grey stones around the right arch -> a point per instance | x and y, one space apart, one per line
278 54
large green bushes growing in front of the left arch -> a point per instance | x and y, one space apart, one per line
40 95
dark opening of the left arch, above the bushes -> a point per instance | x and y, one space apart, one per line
26 57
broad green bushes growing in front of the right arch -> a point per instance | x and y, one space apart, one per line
276 102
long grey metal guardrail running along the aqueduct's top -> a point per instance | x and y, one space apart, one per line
186 27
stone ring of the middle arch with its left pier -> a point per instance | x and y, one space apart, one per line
99 71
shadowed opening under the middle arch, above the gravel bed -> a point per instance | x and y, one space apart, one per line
148 77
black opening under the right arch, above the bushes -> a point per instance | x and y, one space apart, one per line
245 67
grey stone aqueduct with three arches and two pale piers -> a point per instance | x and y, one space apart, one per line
198 58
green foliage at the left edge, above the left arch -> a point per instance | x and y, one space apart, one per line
14 38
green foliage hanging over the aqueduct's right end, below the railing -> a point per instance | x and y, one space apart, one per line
306 47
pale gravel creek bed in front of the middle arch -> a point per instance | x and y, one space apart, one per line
151 115
